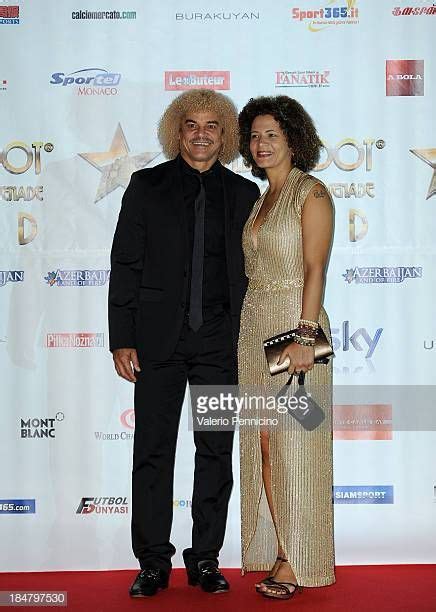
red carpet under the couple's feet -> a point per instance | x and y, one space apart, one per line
375 588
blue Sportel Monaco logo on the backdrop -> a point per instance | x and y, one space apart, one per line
89 81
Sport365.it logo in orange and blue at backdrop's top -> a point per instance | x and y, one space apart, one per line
335 13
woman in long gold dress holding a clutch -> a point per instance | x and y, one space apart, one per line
286 471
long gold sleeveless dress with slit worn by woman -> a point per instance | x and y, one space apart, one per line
301 461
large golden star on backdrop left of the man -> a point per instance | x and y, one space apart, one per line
116 165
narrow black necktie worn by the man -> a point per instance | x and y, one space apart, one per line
196 297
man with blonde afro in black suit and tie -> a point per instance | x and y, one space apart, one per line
176 290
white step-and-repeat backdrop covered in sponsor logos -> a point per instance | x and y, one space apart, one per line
82 88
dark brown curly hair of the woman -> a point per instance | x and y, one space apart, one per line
295 123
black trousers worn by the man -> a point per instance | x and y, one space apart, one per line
204 357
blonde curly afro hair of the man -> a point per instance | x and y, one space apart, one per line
194 101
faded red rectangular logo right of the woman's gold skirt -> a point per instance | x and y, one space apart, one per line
362 422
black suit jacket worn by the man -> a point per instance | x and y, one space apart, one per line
149 271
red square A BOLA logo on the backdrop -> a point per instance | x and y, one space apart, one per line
404 77
